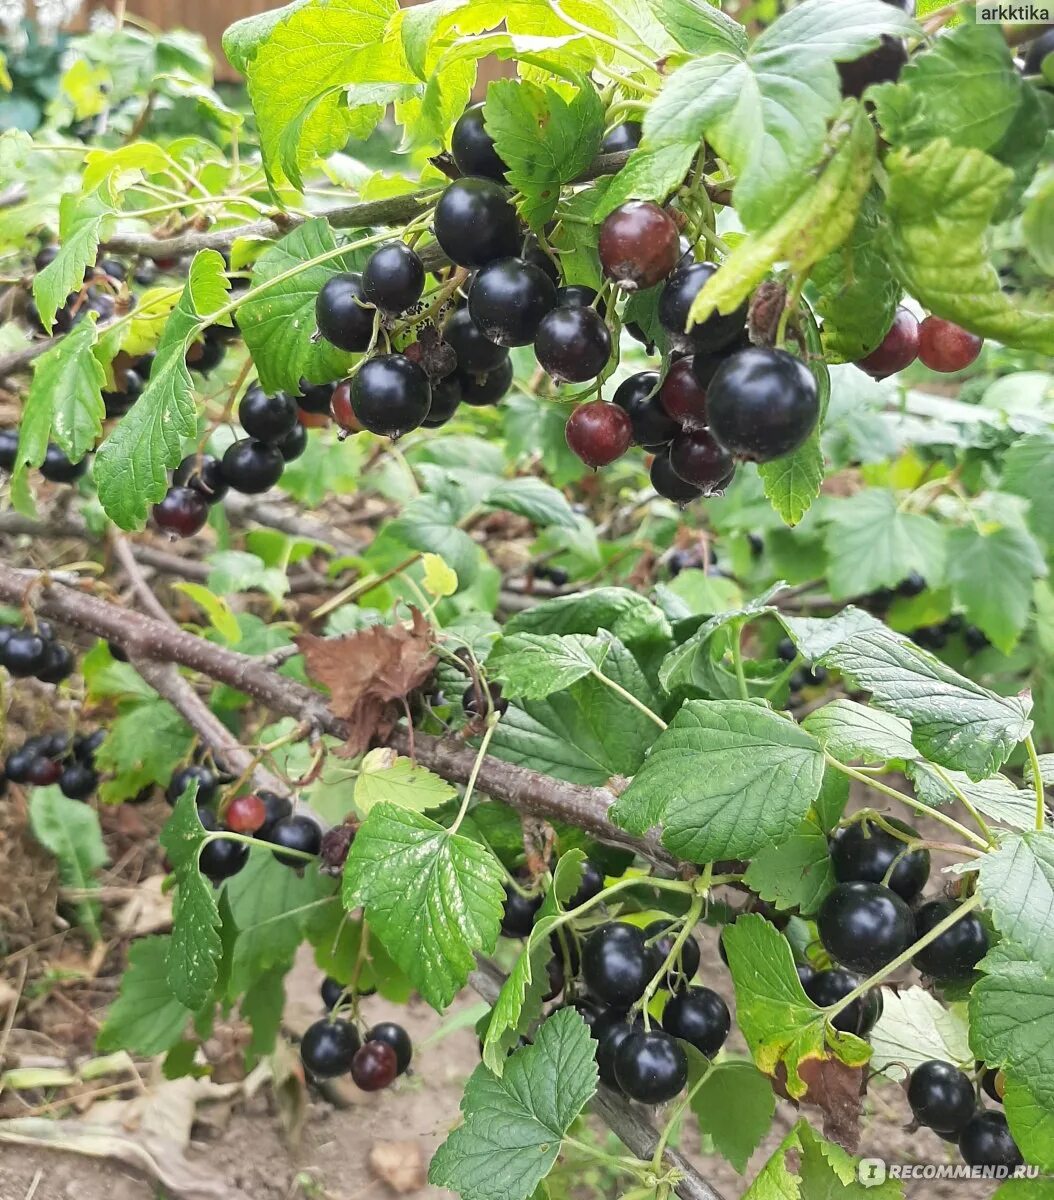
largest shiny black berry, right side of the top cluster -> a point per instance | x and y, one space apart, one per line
763 404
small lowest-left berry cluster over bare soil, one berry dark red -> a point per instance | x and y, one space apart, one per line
336 1046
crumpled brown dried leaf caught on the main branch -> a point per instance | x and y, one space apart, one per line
369 674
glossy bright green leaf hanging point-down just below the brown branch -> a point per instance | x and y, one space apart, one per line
432 897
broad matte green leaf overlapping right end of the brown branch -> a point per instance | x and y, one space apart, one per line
726 779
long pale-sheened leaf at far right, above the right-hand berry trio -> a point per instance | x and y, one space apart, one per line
955 722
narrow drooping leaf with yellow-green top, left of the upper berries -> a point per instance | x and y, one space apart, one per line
131 469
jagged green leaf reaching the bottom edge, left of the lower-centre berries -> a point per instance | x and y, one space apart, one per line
514 1126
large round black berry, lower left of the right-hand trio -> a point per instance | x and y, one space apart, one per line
865 926
